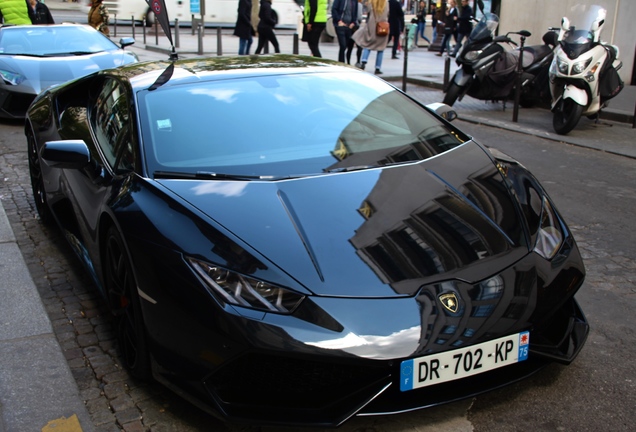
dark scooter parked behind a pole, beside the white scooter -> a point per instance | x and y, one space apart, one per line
488 66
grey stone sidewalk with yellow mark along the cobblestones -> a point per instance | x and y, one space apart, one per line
37 390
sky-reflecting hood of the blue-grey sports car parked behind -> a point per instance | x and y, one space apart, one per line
41 73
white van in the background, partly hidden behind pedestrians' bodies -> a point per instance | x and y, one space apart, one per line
224 12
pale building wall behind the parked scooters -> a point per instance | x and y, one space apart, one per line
537 15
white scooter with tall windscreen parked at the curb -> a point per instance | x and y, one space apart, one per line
584 72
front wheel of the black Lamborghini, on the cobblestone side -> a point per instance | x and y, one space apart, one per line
125 305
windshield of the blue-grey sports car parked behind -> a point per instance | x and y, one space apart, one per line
46 41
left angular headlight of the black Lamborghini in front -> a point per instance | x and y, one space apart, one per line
244 291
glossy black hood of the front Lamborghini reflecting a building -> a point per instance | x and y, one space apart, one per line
378 232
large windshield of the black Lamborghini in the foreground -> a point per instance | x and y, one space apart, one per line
287 125
